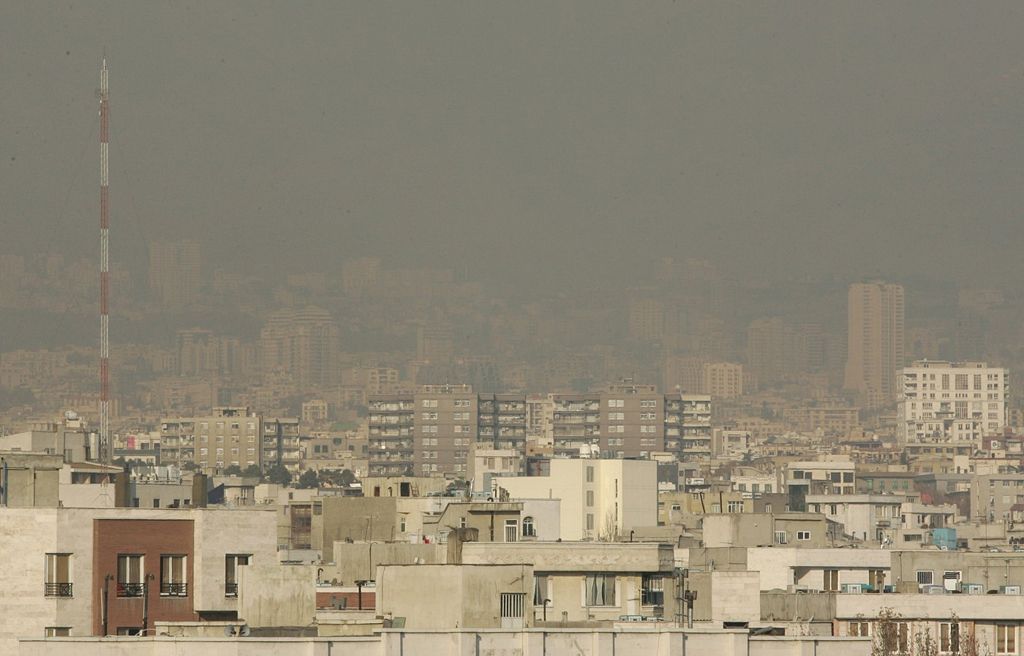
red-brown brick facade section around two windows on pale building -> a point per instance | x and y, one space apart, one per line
152 539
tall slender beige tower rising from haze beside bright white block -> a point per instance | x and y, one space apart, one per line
875 341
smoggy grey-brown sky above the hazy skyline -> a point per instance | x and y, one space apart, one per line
525 140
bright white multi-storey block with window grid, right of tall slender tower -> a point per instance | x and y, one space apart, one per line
962 402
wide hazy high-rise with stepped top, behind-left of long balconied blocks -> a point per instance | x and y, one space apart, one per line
304 344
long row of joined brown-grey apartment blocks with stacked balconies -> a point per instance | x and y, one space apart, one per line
431 432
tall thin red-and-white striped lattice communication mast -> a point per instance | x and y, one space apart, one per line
106 447
